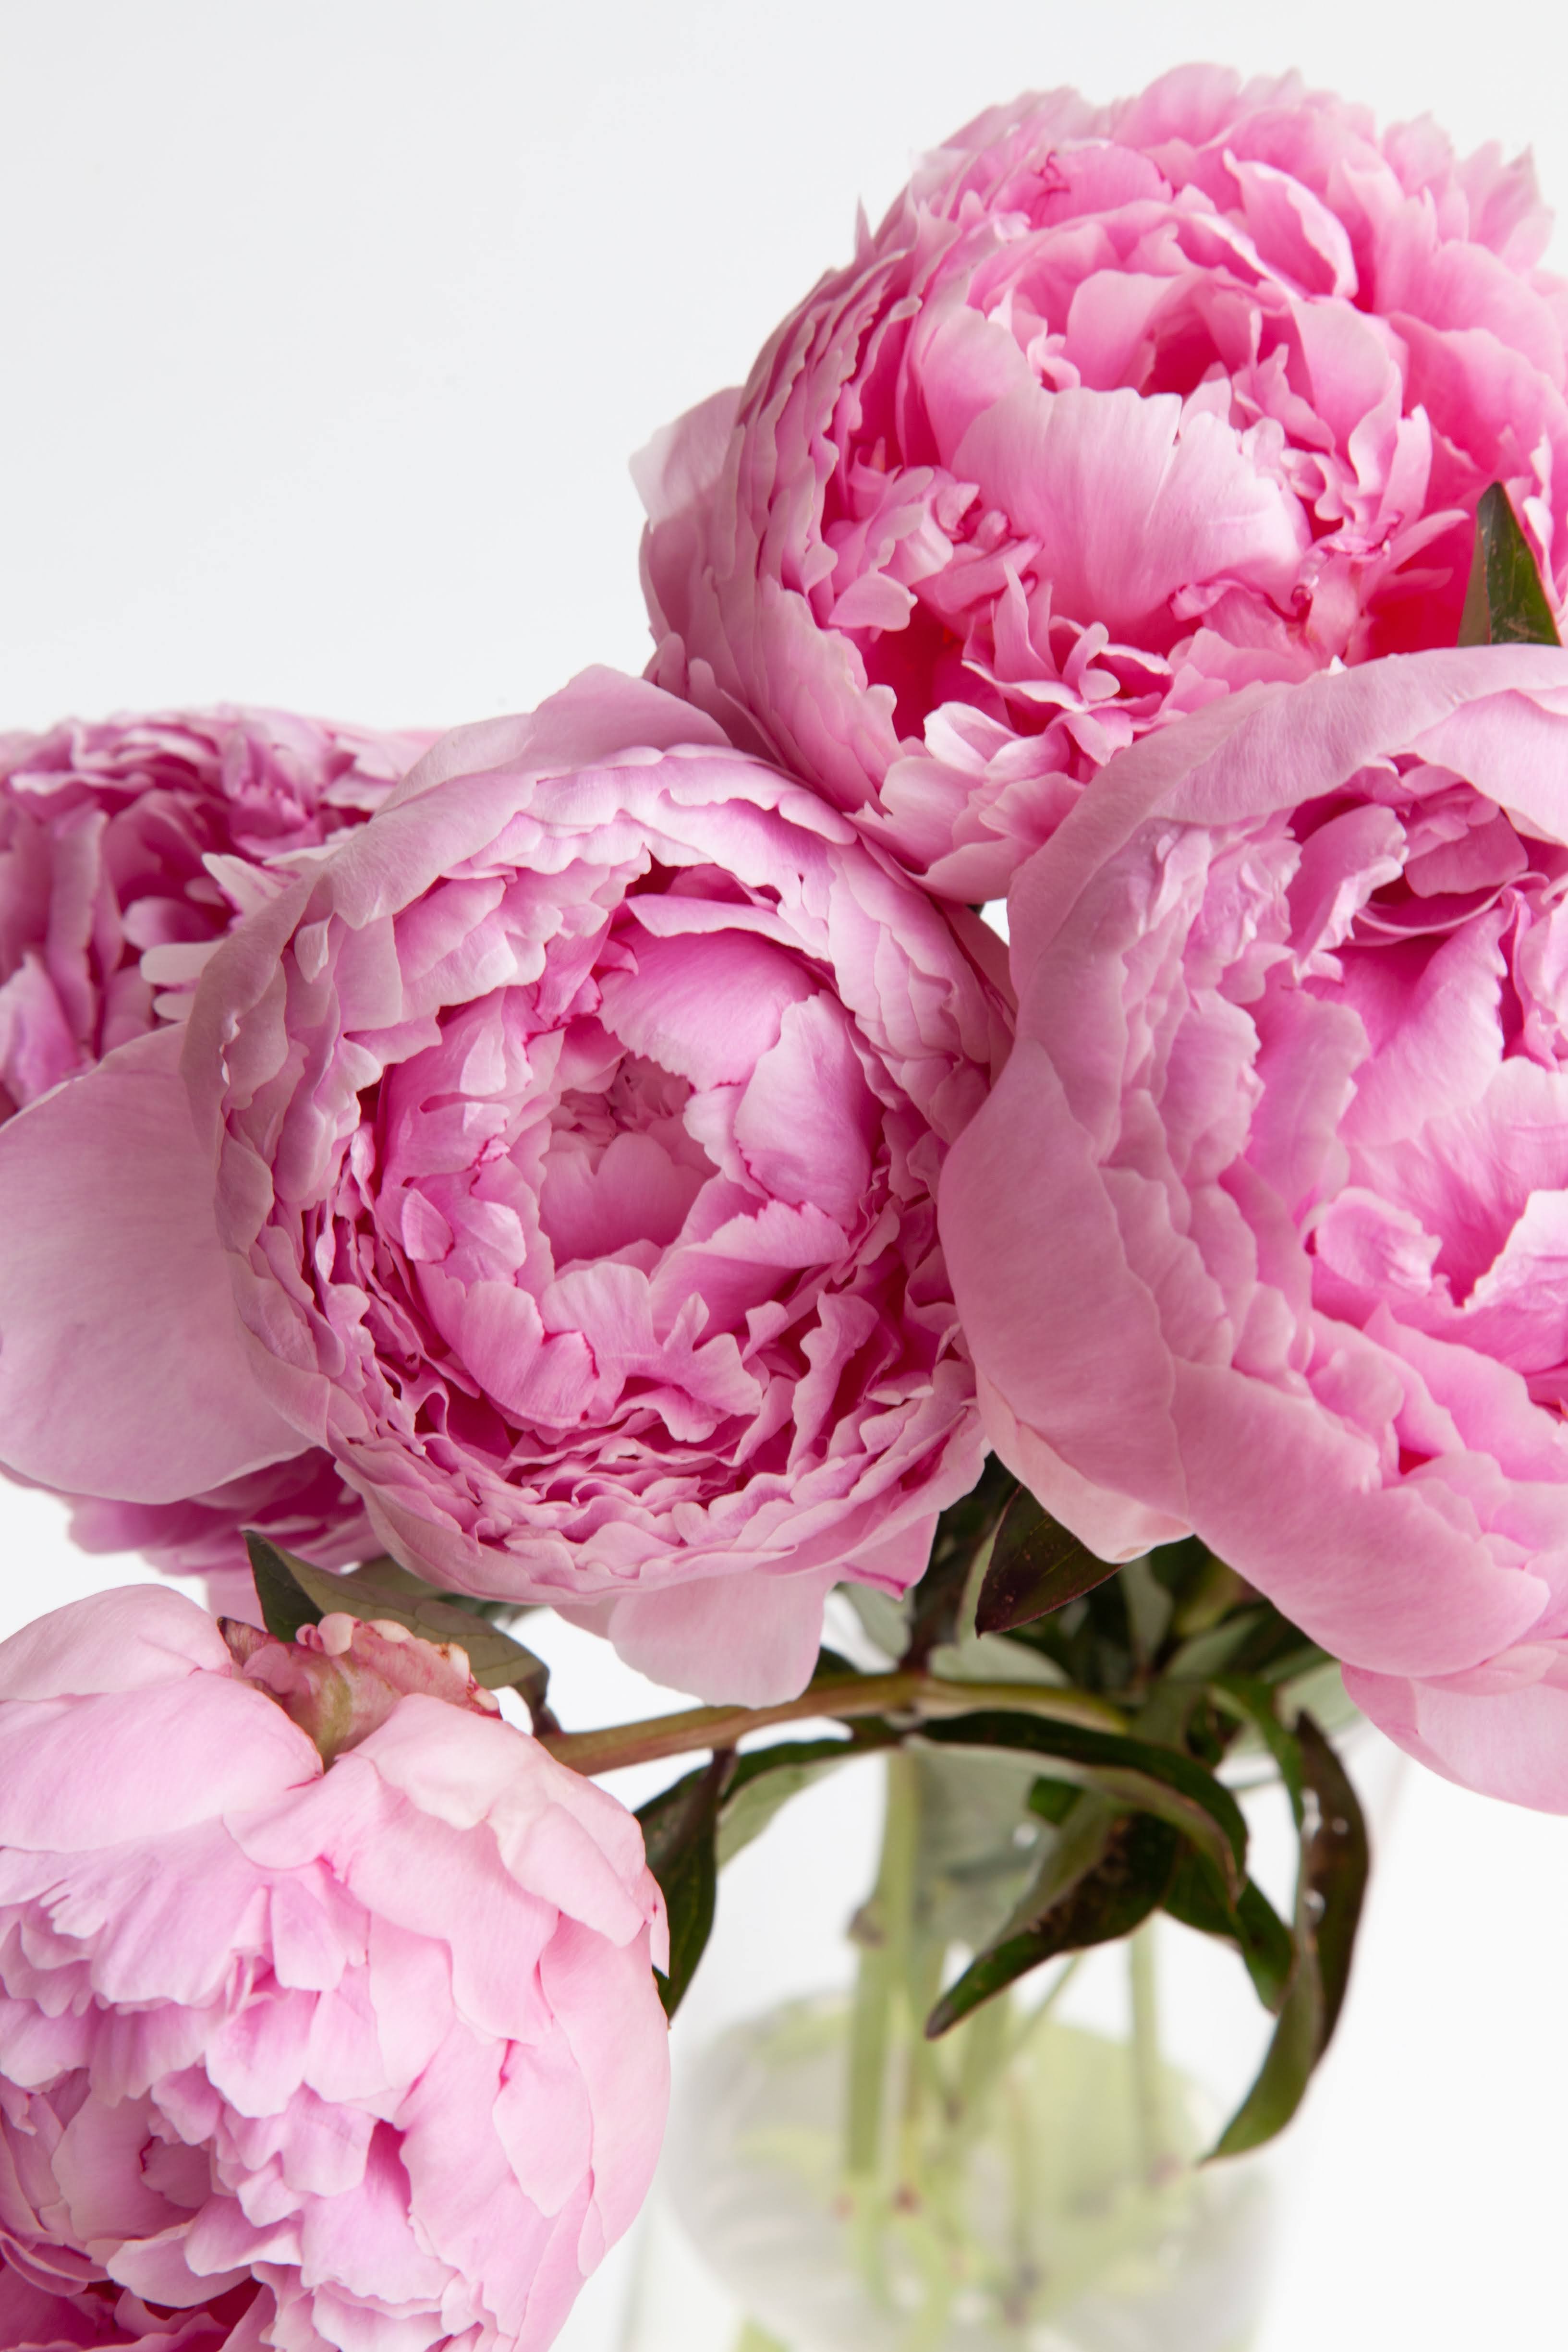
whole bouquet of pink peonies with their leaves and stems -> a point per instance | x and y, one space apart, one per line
608 1163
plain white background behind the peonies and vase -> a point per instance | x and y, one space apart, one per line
328 333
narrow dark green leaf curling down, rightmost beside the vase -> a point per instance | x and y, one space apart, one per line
1329 1892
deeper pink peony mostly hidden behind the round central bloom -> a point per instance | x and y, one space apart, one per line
128 850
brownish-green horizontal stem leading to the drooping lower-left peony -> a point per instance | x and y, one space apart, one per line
836 1697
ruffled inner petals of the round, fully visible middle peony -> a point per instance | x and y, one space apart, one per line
610 1198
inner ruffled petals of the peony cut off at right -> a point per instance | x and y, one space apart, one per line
1452 1210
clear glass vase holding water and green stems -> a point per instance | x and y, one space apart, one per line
1031 2181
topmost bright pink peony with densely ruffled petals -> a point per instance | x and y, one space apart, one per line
1120 410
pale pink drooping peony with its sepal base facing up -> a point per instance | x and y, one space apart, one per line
361 2054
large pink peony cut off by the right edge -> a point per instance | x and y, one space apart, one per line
1264 1229
